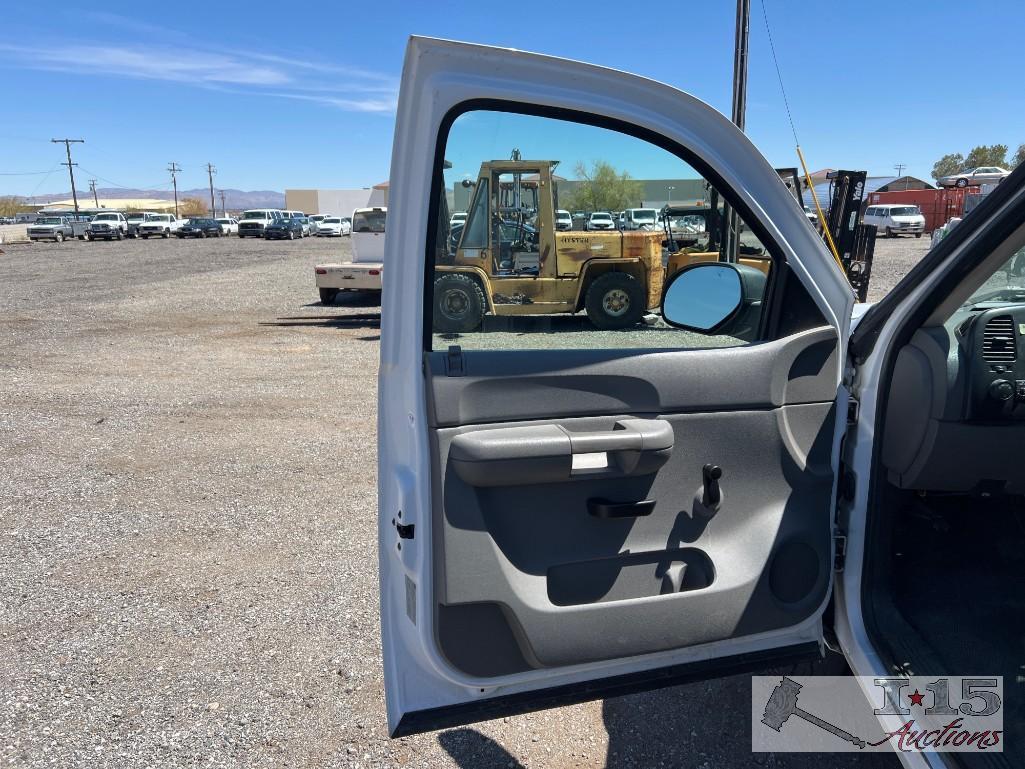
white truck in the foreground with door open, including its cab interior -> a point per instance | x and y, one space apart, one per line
767 473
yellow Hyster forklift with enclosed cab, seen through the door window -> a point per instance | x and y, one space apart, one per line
501 265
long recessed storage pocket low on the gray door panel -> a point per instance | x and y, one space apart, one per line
630 576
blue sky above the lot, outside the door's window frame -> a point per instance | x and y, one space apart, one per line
279 99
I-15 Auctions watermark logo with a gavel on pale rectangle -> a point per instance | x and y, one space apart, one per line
847 713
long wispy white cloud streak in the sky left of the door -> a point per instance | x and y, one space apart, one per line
334 86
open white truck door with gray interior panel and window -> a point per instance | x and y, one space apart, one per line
567 513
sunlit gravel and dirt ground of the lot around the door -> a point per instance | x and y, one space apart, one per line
188 531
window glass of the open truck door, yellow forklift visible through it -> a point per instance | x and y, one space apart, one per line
510 279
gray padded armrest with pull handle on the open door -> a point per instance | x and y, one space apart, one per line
545 454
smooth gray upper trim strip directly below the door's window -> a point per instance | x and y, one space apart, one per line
507 386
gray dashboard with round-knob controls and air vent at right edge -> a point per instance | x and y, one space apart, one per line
956 417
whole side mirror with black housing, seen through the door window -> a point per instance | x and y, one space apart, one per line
715 298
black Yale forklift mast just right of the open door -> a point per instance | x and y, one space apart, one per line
855 244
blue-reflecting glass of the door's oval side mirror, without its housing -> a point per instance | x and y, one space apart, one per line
703 297
